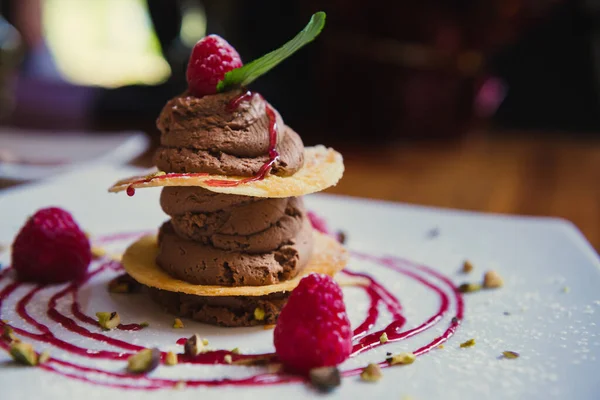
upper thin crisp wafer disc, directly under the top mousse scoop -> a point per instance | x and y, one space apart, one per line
323 167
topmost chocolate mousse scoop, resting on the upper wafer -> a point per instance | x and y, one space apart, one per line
207 134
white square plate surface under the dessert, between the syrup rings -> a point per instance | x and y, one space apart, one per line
548 311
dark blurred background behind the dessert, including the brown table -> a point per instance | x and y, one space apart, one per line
477 105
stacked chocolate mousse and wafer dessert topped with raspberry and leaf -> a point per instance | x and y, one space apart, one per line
233 174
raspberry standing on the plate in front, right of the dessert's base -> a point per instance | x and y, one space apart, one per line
313 329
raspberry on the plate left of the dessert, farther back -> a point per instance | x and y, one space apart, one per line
50 248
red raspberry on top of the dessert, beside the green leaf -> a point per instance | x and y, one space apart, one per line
212 57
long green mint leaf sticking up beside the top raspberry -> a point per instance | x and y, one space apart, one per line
248 73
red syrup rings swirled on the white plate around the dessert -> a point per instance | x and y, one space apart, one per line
86 326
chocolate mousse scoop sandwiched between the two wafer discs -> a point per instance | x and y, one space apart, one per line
230 240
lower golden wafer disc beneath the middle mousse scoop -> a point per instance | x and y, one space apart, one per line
328 258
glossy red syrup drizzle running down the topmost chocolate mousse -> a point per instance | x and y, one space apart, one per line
273 154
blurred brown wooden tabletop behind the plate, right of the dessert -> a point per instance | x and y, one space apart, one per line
509 173
